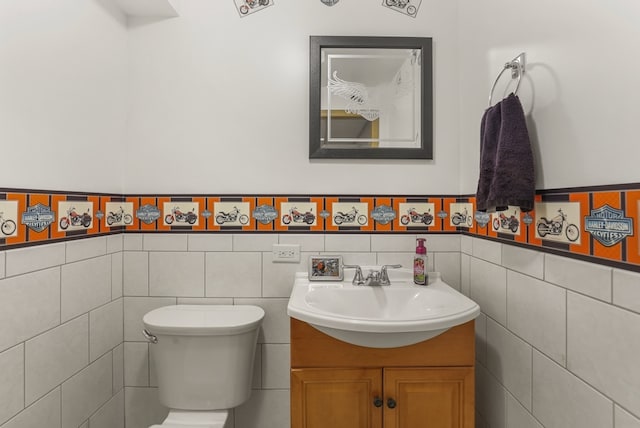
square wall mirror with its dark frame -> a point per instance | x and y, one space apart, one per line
370 98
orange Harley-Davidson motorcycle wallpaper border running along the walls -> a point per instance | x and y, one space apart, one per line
598 224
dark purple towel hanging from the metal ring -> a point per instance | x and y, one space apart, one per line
507 175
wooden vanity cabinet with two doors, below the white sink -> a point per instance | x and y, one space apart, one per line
338 385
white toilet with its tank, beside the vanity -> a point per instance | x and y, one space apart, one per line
203 357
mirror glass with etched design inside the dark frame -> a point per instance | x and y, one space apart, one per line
370 97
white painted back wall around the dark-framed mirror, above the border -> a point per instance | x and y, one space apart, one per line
219 103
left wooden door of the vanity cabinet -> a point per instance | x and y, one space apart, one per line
336 398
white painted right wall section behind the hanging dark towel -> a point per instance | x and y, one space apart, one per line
580 90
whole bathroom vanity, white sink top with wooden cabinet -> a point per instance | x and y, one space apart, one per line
393 356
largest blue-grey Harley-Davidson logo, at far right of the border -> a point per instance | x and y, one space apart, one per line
608 225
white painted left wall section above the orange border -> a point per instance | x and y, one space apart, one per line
62 94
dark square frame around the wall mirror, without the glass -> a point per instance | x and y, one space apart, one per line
317 43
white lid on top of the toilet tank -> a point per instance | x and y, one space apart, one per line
203 320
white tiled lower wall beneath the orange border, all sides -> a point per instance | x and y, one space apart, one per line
530 324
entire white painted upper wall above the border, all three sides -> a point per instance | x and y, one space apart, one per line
219 104
